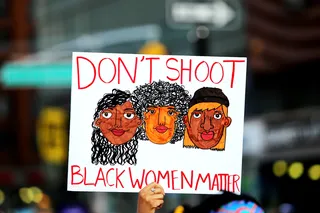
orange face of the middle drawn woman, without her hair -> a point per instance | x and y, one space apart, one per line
160 123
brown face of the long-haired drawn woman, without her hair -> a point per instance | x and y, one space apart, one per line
118 124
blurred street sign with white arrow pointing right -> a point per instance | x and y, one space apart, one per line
215 14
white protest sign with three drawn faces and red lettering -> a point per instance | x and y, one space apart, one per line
138 119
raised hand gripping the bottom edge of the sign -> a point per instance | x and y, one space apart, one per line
150 198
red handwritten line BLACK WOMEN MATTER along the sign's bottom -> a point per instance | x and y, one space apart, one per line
173 179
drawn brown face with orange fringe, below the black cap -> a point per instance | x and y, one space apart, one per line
206 123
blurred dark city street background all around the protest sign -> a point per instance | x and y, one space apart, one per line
281 38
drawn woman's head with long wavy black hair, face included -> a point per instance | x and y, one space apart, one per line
115 130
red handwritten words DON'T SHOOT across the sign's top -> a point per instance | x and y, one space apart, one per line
117 70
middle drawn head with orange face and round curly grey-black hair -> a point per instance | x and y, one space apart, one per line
162 106
